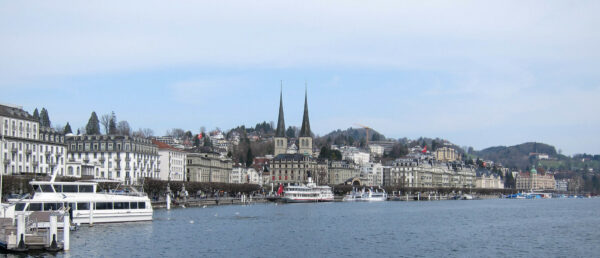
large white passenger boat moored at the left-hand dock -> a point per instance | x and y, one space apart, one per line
85 203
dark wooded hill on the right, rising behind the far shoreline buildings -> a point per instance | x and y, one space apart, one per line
516 156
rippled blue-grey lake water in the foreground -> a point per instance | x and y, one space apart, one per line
479 228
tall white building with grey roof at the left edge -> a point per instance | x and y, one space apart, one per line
27 148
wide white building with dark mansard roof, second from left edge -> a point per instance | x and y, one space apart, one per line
115 157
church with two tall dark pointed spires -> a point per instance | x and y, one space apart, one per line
290 165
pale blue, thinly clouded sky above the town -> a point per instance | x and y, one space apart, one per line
478 73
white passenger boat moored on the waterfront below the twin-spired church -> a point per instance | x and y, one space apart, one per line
307 193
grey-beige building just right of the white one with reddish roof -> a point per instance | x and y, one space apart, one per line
208 167
